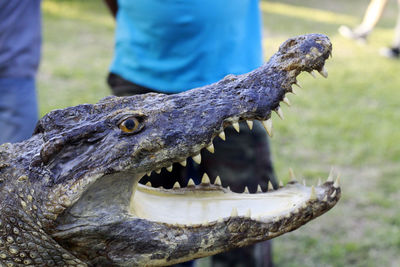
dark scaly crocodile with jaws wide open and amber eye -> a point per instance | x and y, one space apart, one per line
70 195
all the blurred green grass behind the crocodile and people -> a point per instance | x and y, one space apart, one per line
350 121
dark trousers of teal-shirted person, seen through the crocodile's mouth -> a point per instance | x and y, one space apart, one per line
242 160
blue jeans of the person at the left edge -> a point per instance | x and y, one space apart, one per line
18 109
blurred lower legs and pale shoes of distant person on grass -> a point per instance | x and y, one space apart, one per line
371 17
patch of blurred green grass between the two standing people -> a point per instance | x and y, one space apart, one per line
77 49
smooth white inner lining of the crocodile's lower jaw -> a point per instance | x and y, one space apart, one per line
207 203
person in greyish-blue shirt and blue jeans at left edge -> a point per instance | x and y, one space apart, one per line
20 43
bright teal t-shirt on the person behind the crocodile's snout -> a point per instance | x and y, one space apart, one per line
175 45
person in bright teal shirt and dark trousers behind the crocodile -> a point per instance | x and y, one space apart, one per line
172 46
